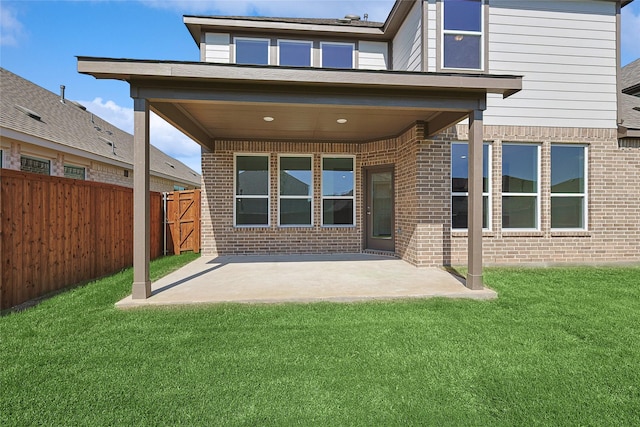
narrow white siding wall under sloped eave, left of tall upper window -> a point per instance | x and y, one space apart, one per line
407 44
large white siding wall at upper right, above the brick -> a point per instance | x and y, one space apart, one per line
566 52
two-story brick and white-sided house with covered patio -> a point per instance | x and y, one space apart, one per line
368 115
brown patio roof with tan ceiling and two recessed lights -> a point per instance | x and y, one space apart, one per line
211 102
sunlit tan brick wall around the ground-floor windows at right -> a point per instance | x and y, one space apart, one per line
613 233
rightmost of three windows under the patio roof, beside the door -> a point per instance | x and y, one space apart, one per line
338 195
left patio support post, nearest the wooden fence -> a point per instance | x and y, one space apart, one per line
141 200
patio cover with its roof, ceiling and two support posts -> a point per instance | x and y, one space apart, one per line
217 103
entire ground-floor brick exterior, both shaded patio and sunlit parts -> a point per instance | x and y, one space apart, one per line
423 200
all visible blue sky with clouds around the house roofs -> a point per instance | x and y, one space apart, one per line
40 39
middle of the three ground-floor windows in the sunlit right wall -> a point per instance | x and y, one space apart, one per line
520 186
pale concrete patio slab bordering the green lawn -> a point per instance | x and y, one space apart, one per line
302 278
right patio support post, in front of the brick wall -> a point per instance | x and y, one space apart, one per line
474 274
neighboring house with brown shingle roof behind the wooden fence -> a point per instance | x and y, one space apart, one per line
42 132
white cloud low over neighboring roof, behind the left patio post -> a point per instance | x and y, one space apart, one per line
162 135
